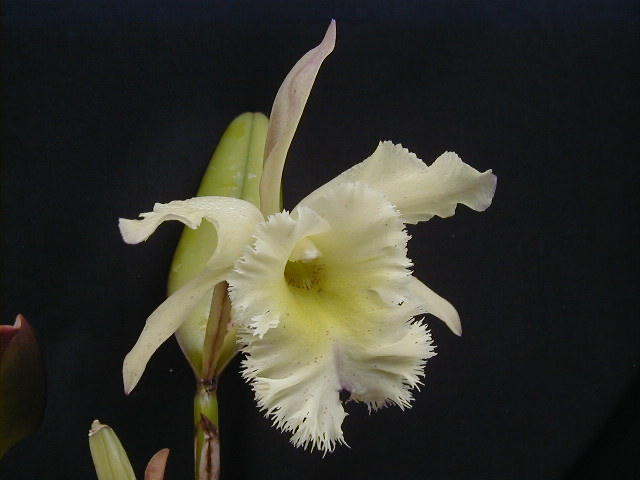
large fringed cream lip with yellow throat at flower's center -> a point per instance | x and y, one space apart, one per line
345 326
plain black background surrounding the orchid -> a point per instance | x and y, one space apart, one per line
112 106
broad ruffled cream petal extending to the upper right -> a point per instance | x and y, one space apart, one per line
419 191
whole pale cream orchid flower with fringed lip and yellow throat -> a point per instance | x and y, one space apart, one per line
323 296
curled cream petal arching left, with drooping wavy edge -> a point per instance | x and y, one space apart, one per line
233 218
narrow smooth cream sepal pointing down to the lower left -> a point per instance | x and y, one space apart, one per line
166 319
